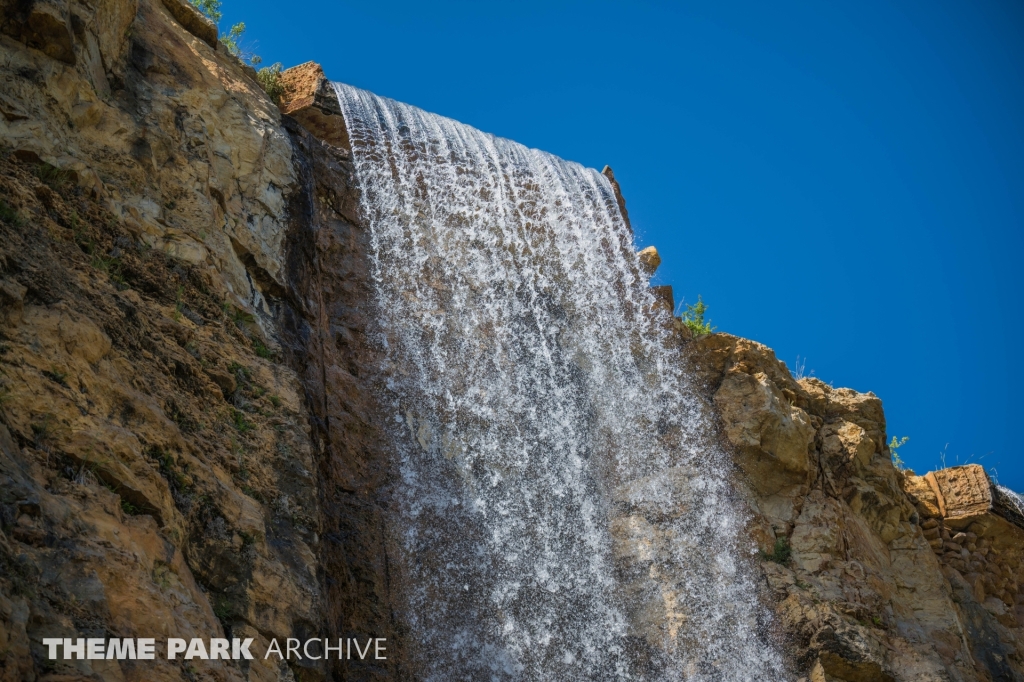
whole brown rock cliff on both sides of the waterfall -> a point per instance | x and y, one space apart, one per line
190 444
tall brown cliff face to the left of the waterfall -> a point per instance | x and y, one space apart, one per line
162 338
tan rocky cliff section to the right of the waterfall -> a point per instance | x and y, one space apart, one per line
873 572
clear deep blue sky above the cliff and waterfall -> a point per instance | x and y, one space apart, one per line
842 181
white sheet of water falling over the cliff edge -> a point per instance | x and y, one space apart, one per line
561 513
